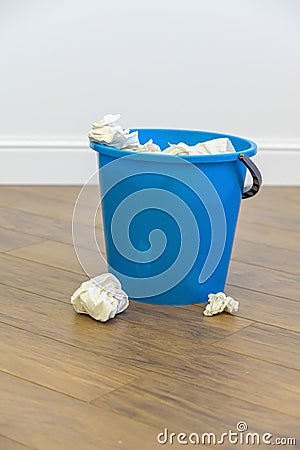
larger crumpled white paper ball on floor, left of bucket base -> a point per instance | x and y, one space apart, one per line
101 298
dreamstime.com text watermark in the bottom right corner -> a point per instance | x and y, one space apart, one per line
239 436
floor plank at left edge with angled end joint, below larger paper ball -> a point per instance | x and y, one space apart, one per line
58 366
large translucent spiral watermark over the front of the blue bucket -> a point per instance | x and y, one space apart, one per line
151 207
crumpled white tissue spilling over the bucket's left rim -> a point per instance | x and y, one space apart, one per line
107 132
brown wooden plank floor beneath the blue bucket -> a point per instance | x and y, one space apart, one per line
69 382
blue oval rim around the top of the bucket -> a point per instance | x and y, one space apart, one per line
219 157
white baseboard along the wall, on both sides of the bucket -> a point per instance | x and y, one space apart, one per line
70 161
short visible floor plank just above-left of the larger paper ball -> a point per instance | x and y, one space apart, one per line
63 256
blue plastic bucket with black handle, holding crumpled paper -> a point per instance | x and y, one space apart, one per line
169 221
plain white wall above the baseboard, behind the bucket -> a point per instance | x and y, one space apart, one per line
231 66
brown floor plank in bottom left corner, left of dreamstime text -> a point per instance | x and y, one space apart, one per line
47 420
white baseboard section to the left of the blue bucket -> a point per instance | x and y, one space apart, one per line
46 161
